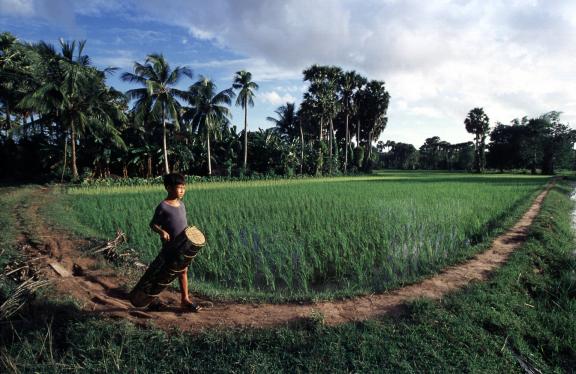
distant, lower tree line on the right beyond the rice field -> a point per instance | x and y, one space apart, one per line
542 144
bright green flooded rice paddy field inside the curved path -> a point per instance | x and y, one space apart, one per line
317 238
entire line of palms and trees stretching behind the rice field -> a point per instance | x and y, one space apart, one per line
59 118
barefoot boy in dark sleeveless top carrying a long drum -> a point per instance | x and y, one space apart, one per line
169 221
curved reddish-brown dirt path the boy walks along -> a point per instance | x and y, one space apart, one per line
99 290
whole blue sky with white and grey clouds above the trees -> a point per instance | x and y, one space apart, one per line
438 58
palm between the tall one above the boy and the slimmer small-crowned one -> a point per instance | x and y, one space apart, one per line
209 110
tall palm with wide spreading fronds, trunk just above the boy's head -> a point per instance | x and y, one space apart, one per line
158 95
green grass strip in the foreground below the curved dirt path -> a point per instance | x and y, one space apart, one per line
524 315
